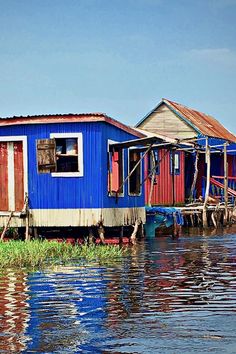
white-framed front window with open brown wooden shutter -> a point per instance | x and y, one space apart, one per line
62 155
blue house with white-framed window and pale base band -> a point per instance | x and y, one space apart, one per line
62 165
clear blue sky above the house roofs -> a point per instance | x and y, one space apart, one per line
117 56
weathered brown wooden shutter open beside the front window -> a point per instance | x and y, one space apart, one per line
46 155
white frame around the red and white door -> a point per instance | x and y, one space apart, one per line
23 139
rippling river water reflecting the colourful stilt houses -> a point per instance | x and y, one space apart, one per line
167 296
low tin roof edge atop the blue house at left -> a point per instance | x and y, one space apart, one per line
67 118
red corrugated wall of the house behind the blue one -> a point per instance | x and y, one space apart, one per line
163 191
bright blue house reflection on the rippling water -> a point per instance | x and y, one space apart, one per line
66 310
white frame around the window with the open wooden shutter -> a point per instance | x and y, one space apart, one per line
79 137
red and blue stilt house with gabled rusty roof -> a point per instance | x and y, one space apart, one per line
176 180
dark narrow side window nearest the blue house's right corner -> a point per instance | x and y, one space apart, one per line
135 178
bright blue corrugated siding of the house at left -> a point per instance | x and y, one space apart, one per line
89 191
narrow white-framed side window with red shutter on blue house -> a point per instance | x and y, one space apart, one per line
115 173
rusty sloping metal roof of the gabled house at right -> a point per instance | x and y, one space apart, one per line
202 122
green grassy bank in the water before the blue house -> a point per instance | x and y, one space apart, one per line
36 254
